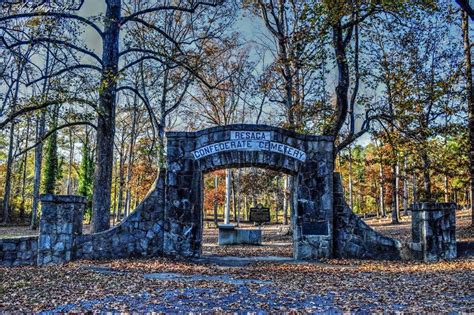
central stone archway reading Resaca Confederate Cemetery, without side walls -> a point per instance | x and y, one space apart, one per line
308 158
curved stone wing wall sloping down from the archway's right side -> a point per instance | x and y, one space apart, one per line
354 238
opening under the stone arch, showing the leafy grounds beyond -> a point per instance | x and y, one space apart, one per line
251 191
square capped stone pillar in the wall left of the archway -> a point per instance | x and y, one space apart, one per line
60 223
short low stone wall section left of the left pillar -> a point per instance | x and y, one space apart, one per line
18 251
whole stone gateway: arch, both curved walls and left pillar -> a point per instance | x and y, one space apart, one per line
169 221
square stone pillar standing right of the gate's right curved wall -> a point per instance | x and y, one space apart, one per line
434 231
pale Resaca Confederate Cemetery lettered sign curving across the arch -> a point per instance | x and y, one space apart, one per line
249 141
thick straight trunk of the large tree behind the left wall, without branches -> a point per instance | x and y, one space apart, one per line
106 120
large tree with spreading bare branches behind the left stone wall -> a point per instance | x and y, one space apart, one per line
109 72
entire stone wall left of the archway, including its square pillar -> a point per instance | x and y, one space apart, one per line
61 239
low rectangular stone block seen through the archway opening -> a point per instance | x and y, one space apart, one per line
230 235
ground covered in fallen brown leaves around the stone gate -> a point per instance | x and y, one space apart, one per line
164 285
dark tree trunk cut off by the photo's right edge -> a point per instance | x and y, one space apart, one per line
470 102
